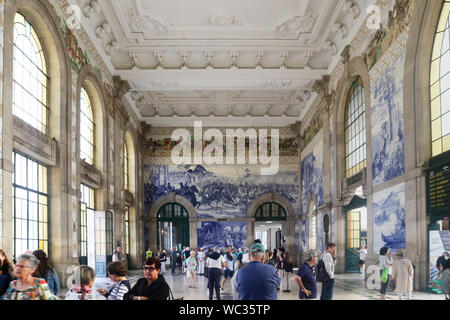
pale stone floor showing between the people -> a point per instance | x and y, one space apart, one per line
347 287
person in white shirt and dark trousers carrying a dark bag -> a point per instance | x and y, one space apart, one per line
325 271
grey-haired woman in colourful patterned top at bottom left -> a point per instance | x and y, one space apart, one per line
26 287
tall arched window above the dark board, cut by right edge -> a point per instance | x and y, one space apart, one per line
440 84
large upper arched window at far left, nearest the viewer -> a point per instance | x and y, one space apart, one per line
30 79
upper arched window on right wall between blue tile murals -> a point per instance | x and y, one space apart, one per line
355 130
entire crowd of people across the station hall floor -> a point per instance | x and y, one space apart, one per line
254 274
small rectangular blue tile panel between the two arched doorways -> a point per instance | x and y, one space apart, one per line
222 234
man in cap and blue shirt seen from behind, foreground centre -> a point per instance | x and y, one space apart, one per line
257 281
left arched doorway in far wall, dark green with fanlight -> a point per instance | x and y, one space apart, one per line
172 226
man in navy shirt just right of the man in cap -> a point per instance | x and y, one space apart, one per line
305 277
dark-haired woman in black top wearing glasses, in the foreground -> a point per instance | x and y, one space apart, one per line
152 286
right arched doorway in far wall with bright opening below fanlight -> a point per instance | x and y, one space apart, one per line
269 221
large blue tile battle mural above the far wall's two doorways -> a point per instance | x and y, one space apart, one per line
219 191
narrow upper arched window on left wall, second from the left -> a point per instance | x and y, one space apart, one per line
87 144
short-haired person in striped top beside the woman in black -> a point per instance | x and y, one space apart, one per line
117 273
